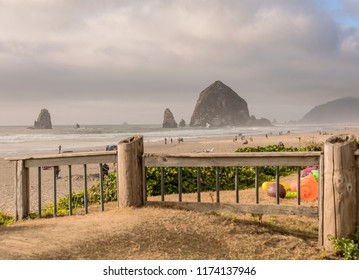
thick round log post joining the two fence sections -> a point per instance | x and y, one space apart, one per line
130 181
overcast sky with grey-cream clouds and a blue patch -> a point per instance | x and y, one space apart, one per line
113 61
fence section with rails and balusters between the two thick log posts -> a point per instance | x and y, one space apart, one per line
216 160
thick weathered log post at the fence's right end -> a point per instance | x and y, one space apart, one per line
340 188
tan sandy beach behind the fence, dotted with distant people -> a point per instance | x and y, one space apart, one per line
217 145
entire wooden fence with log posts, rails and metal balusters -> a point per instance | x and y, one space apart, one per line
338 201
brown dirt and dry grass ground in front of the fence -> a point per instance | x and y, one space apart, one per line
153 233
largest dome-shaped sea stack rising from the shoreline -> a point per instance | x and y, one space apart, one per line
218 105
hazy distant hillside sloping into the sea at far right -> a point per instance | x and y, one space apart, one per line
343 110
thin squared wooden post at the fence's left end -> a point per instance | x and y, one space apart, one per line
22 190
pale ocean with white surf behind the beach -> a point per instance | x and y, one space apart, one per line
20 140
